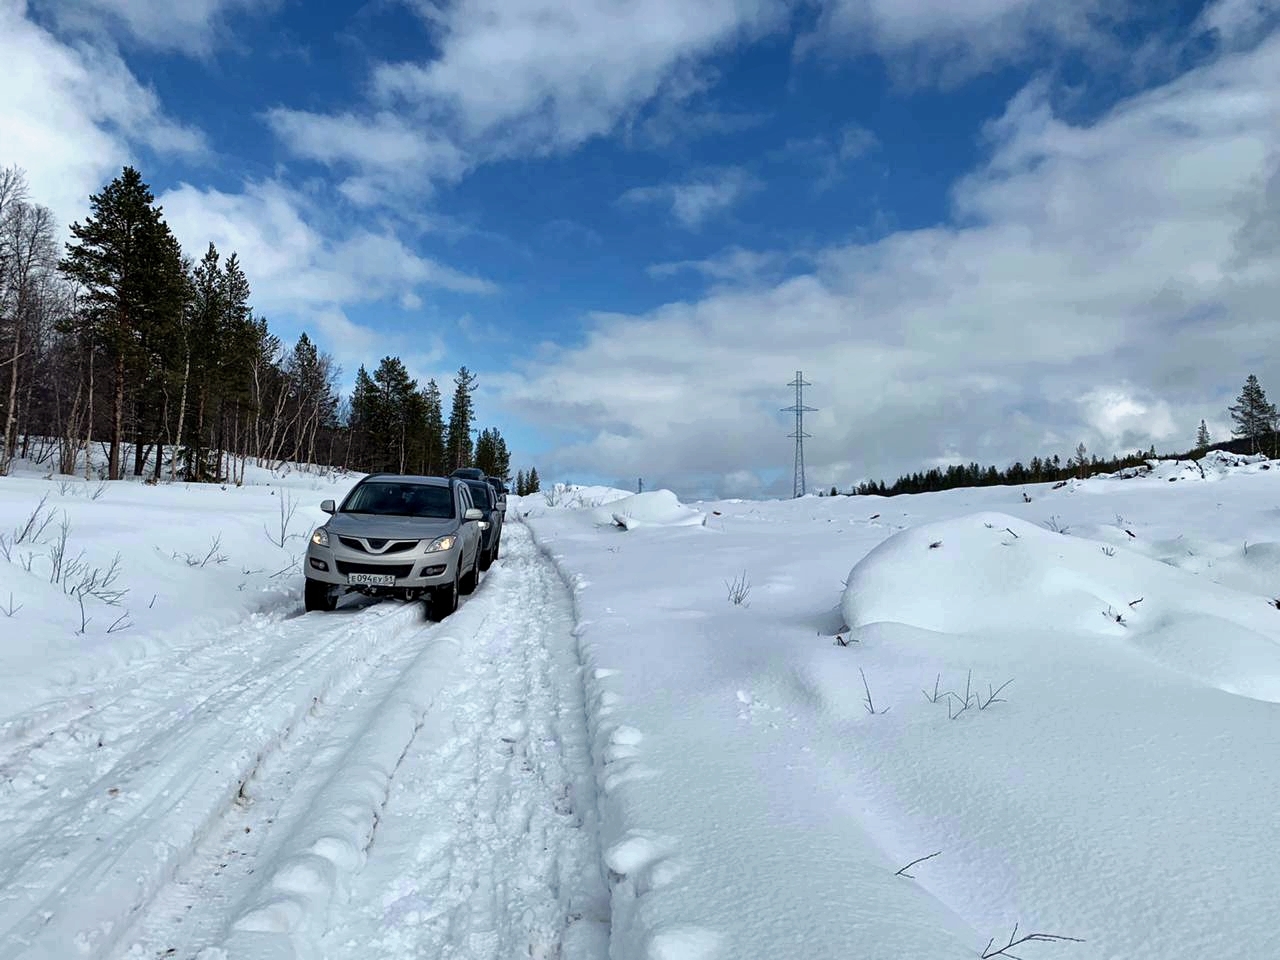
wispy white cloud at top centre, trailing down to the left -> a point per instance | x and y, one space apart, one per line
527 77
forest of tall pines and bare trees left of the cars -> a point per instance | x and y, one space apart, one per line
122 340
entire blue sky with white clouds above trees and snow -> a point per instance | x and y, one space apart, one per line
984 230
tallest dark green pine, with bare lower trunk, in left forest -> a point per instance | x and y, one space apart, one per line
115 257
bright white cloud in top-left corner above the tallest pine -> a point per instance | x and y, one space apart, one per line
74 115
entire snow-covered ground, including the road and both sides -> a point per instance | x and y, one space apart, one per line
659 732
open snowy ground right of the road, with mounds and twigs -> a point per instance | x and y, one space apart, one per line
753 806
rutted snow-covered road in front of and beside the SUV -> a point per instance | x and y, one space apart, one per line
349 785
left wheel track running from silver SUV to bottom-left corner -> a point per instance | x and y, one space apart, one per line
94 857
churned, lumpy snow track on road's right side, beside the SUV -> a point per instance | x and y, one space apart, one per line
487 848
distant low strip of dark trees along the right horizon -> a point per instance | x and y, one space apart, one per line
1256 428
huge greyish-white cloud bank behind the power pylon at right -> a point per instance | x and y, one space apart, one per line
1133 263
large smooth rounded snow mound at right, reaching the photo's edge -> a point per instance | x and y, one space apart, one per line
995 574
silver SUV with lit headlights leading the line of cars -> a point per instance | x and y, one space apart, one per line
399 536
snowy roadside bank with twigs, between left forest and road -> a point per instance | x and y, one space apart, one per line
95 577
